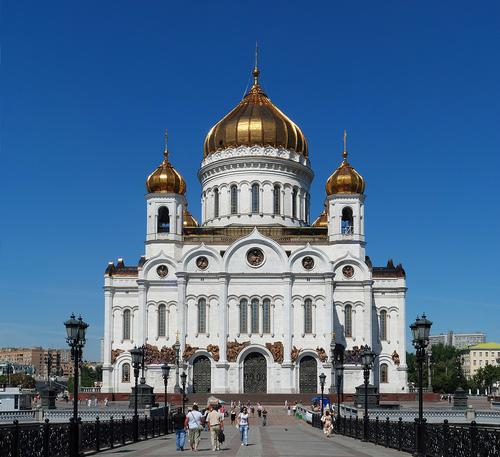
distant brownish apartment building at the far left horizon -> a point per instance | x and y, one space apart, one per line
36 358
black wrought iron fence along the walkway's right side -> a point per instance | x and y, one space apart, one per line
441 440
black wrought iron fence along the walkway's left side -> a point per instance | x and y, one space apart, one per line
53 439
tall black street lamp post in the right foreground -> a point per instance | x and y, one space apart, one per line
421 329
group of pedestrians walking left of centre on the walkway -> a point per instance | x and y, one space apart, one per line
212 420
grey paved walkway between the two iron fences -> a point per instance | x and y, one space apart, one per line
282 437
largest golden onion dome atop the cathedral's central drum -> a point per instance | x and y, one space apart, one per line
255 121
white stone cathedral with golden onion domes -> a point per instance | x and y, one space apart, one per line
255 296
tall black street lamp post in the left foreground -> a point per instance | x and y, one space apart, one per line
75 337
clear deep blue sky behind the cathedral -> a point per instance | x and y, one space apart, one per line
89 87
